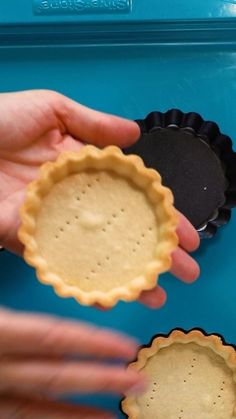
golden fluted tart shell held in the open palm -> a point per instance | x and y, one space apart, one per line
98 226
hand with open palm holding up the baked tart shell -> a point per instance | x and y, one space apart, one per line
36 126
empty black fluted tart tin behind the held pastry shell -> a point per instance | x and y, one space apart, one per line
196 161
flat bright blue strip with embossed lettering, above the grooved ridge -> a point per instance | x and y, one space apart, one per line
15 11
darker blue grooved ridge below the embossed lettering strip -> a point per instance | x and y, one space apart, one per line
209 31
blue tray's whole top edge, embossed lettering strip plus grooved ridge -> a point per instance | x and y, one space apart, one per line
92 22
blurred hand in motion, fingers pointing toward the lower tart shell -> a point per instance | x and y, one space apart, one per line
42 358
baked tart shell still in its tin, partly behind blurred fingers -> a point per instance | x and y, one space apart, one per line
190 376
